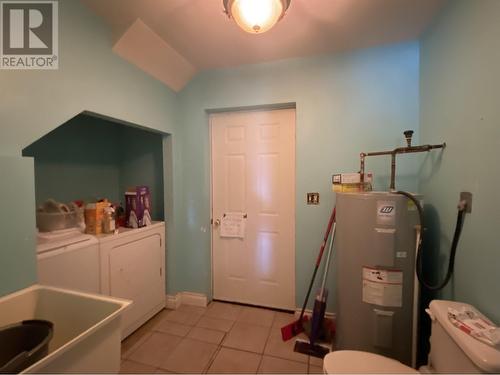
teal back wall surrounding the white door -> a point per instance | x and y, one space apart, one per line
347 103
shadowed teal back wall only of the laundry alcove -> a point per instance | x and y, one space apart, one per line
78 160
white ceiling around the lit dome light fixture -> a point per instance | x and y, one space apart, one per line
200 32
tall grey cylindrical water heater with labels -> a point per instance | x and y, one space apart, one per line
377 296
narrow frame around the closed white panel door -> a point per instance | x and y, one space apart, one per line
254 108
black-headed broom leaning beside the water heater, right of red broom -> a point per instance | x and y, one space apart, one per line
311 347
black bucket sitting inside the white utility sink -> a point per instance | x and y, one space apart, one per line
23 344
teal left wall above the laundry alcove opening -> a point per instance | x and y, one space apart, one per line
90 78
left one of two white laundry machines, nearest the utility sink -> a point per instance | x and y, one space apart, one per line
69 259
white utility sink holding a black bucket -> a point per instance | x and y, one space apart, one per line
87 327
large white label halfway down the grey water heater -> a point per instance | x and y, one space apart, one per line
382 287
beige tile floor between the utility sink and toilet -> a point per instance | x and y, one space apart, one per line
221 338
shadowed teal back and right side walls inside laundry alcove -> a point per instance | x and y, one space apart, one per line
90 158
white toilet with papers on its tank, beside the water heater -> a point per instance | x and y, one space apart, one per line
452 351
